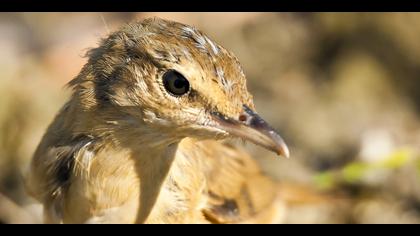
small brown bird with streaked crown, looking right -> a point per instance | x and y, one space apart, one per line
136 142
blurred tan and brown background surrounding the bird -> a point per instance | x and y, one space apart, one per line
343 89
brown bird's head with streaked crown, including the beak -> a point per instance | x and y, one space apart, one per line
169 79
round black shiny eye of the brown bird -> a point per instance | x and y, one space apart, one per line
175 83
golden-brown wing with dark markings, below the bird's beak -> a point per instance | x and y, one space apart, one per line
237 191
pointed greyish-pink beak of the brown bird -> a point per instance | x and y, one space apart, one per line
250 126
